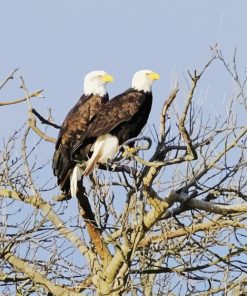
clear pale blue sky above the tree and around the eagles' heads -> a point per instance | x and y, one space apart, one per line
56 42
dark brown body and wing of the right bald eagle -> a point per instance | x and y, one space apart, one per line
117 117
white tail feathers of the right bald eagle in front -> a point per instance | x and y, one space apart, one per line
104 148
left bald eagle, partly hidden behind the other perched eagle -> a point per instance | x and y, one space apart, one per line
76 124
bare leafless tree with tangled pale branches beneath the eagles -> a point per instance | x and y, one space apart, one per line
168 218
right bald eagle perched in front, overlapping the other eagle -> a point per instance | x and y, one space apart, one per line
117 121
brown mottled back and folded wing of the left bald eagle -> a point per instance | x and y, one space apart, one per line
74 125
